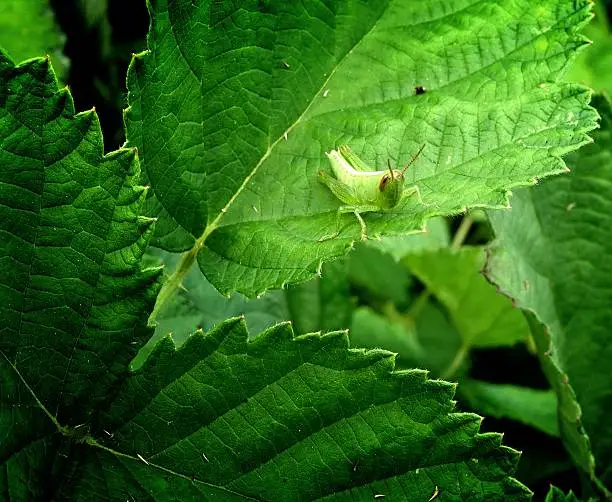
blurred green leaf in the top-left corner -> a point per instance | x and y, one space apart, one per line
28 30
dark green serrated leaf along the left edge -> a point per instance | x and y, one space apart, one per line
73 299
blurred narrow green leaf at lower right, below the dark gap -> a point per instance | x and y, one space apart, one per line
533 407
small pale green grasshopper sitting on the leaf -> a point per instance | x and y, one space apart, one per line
362 189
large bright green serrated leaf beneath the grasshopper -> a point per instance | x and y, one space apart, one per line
235 103
